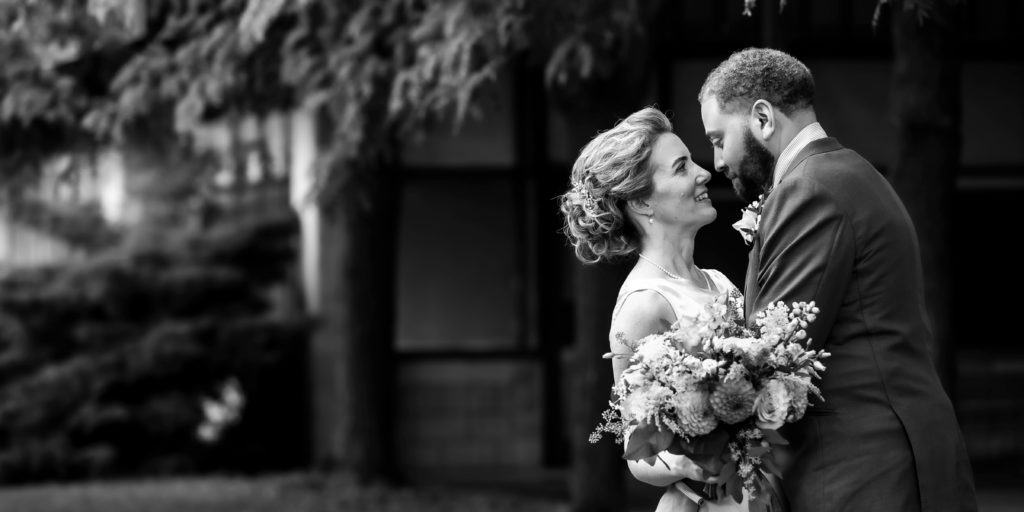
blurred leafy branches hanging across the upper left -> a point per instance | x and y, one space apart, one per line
89 71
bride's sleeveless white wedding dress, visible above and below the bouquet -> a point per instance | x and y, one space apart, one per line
687 300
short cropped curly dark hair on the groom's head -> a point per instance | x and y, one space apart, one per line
755 74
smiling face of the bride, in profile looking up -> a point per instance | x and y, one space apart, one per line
680 193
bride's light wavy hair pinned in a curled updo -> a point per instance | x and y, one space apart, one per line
611 170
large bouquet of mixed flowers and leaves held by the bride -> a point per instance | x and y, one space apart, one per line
717 393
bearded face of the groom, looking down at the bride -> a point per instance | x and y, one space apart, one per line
739 155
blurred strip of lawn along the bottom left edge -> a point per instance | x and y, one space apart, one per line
294 493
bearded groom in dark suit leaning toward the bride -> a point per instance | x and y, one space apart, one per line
832 230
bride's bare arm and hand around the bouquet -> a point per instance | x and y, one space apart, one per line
644 314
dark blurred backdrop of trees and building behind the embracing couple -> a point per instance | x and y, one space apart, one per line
306 254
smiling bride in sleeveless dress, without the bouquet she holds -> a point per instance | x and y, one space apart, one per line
637 192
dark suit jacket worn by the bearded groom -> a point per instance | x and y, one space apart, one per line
886 438
